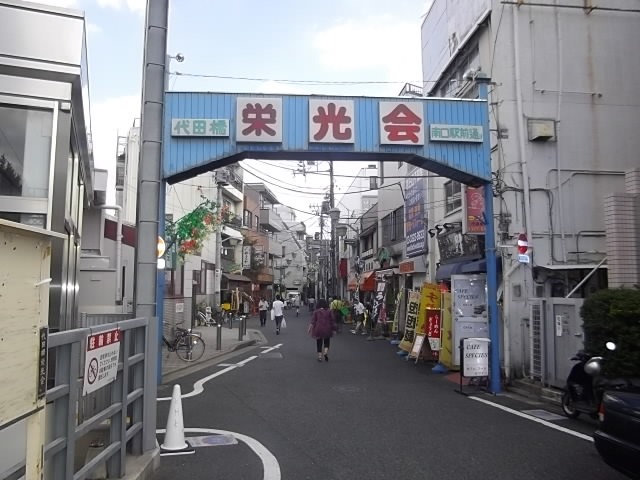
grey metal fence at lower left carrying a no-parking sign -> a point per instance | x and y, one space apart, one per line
130 415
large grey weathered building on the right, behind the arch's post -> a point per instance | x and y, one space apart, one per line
563 111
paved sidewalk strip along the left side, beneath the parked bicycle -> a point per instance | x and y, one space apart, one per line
172 365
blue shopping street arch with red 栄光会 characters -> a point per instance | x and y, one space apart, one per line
450 137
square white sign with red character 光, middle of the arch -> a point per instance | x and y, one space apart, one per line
331 121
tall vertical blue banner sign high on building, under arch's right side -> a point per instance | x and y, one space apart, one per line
414 213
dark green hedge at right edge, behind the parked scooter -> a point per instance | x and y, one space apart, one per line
614 315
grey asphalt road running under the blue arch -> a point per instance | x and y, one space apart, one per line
366 414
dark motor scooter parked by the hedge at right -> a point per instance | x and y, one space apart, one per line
585 385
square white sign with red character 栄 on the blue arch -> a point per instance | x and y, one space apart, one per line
259 119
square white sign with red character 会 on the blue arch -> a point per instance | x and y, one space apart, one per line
401 123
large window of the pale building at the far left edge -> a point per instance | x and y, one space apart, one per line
25 148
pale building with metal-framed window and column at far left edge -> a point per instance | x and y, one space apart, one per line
46 159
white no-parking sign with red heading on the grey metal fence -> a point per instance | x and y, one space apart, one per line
101 362
